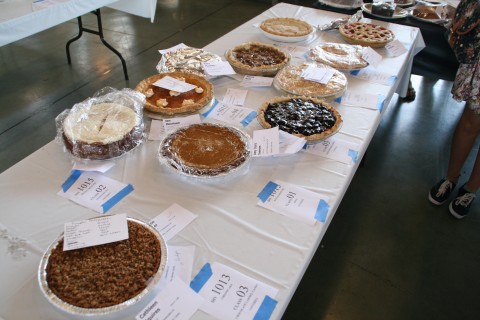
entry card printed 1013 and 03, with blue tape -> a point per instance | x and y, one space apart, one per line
230 294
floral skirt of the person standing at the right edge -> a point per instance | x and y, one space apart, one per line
466 86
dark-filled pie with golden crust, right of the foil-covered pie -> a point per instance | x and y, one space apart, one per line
255 58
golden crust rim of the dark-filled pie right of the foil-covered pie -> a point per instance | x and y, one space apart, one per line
265 69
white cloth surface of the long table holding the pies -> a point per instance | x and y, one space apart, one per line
230 228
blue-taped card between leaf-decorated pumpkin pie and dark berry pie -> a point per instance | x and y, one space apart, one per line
231 114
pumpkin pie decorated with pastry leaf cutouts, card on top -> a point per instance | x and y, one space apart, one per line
164 101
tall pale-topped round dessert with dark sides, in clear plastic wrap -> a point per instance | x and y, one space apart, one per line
102 131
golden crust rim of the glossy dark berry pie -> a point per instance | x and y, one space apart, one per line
317 136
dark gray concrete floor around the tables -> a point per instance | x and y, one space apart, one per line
388 254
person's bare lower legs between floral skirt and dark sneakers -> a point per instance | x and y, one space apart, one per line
464 138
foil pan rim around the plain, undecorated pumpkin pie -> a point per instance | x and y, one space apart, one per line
175 167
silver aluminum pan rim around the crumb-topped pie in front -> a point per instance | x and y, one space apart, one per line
75 310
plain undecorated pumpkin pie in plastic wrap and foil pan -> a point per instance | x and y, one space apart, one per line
205 150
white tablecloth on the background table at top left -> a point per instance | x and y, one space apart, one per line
22 18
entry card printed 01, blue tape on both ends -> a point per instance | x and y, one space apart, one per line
294 201
